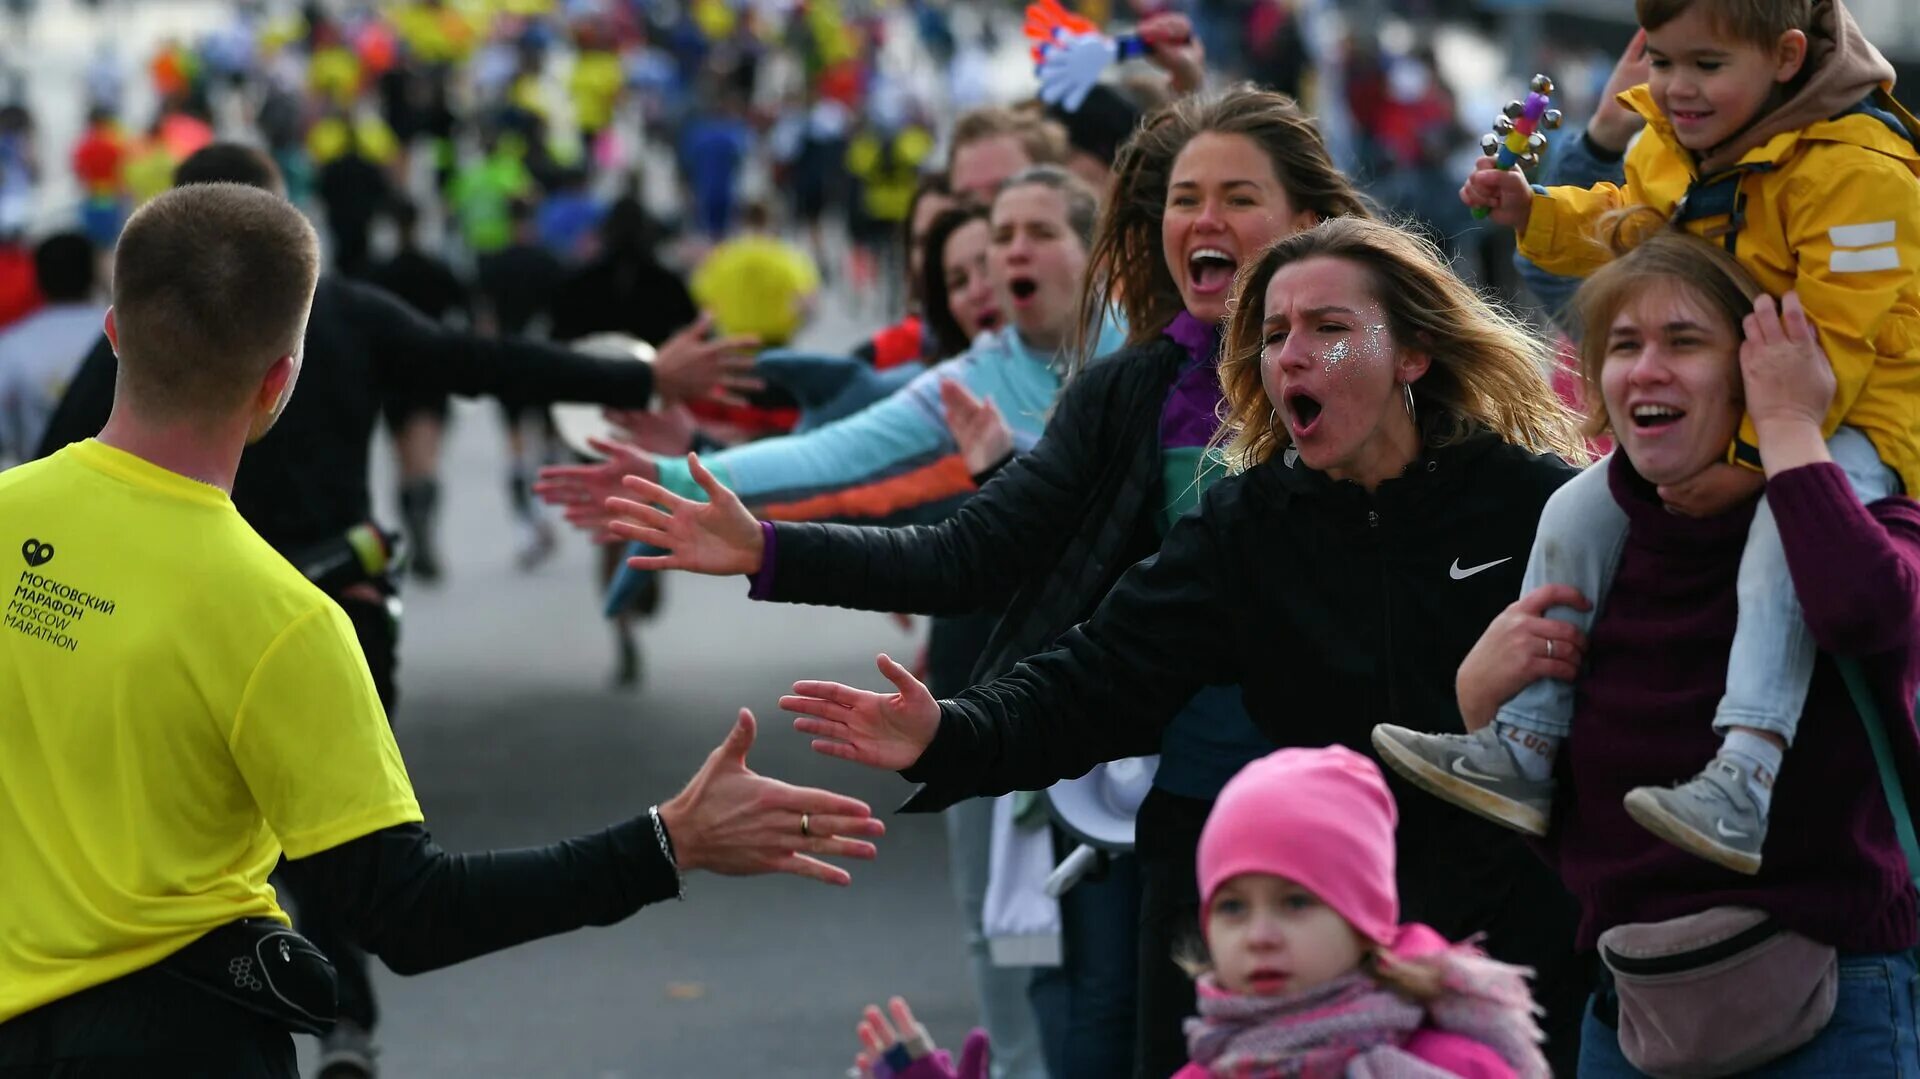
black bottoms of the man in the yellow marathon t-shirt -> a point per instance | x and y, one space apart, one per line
147 1024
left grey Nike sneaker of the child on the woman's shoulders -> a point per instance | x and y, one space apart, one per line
1472 771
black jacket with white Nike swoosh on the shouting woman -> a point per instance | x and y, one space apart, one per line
1332 610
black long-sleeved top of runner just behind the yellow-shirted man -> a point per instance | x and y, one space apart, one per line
306 481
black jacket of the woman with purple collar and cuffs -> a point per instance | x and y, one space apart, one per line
1044 540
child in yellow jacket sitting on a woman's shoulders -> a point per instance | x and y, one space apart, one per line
1771 132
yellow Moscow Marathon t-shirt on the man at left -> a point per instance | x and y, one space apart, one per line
178 707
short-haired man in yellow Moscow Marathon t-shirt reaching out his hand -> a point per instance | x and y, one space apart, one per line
180 709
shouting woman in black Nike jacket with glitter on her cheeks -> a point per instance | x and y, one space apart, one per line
1395 443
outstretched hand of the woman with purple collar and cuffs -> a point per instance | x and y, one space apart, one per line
717 537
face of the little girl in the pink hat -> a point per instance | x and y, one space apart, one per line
1270 936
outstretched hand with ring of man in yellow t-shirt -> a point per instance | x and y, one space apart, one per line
736 823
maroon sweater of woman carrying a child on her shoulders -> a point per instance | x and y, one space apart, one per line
1644 715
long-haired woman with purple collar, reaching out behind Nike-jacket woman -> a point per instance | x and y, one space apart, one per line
1199 191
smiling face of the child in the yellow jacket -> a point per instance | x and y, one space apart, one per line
1712 85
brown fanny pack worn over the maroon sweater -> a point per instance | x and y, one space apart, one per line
1717 994
